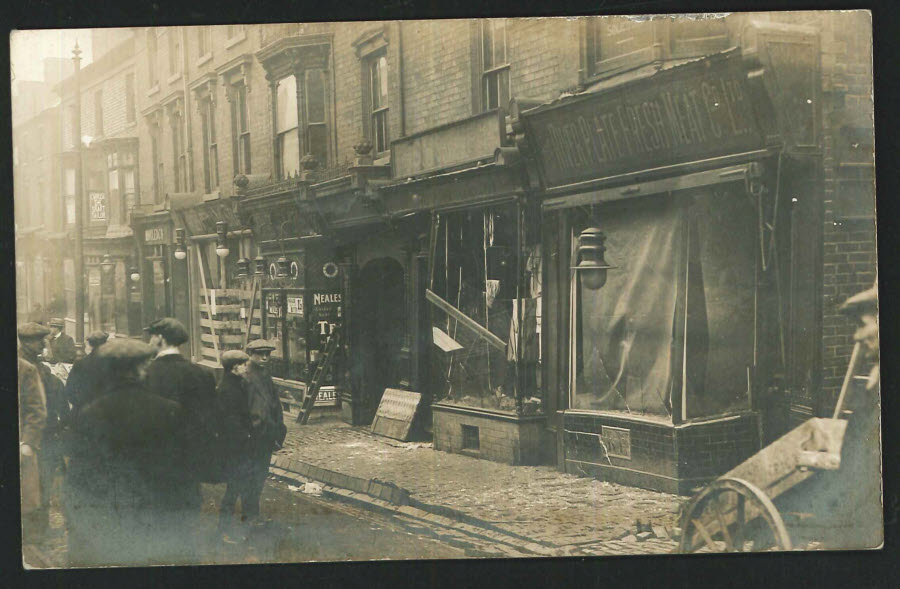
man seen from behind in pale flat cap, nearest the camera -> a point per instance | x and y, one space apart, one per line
118 500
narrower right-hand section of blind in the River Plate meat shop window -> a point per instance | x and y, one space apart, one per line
720 321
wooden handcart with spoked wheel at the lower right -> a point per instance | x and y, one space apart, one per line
739 512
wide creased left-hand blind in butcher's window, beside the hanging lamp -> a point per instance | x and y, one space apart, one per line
625 329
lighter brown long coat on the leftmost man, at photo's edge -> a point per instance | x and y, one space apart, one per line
32 419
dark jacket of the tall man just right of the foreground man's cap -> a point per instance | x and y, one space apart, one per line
175 378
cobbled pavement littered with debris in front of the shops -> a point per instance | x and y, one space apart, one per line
537 505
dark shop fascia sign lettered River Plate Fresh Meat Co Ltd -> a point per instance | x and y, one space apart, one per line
689 113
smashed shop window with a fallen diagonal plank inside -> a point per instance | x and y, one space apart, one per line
486 341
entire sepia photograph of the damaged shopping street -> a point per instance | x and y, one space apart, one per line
446 289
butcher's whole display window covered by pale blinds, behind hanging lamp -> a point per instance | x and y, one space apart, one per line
675 318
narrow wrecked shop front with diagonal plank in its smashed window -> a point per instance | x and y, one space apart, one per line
477 290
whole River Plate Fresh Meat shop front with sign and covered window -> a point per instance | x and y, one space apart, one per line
681 225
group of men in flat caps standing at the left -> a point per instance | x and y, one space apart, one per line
134 431
